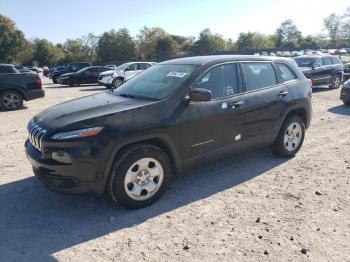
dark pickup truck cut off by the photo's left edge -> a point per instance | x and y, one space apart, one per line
16 87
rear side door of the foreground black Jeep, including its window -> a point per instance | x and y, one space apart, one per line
265 102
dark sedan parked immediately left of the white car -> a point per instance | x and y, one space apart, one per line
86 75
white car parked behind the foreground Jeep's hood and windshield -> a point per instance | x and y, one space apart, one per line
115 78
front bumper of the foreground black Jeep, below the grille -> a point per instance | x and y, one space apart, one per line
62 177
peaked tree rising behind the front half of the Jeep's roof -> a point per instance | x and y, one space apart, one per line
208 43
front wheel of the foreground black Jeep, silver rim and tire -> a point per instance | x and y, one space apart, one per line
131 182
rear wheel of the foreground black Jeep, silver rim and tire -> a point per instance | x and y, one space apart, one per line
290 137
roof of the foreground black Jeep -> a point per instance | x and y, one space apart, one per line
202 60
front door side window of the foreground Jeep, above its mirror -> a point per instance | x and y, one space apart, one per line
222 81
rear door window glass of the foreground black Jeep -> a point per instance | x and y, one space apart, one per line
259 75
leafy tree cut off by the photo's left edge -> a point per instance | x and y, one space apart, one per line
12 40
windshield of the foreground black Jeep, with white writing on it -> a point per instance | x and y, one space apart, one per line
157 82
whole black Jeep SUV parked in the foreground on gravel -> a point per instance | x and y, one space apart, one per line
129 141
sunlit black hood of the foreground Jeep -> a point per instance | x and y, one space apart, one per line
85 109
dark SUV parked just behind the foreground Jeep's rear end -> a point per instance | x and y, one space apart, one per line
322 69
